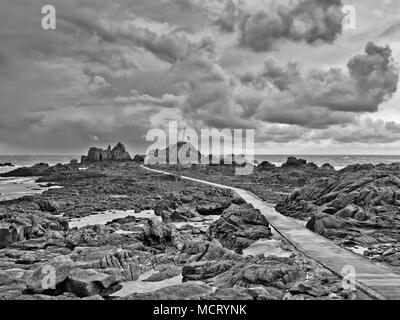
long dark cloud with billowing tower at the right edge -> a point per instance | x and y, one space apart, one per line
322 98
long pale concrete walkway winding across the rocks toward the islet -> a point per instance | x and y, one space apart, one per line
379 282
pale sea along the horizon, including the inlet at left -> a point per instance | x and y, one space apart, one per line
12 188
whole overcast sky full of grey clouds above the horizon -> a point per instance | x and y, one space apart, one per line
113 69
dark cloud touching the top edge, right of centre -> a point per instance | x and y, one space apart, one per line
307 20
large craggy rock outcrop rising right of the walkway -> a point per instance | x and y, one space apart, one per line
358 205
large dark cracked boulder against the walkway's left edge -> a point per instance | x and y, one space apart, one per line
239 227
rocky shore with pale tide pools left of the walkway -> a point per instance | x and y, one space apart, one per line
177 240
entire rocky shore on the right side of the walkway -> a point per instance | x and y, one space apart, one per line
356 207
